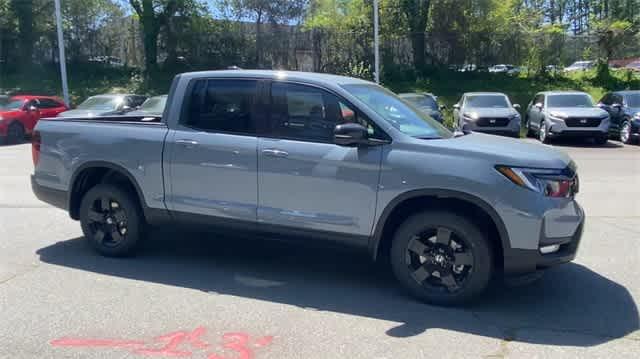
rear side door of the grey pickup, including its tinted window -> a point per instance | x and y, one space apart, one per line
212 152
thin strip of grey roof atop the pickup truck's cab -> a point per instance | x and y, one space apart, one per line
278 75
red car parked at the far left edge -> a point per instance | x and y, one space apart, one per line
19 116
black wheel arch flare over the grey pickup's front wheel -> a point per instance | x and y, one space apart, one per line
379 226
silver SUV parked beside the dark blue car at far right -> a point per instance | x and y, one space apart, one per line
554 114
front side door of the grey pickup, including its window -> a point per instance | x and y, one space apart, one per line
305 181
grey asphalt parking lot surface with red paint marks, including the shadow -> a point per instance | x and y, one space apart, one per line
197 295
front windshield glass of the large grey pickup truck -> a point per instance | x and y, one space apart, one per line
398 113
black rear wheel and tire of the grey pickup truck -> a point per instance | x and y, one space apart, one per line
104 208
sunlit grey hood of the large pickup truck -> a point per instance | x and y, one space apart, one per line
506 151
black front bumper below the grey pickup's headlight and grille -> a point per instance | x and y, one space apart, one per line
525 261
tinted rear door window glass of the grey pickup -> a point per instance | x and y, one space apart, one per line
222 106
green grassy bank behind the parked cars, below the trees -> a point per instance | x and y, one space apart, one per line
86 80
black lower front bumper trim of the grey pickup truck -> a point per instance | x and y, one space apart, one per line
519 262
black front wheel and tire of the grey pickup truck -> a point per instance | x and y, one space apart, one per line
422 233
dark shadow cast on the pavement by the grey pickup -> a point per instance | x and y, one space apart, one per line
571 305
